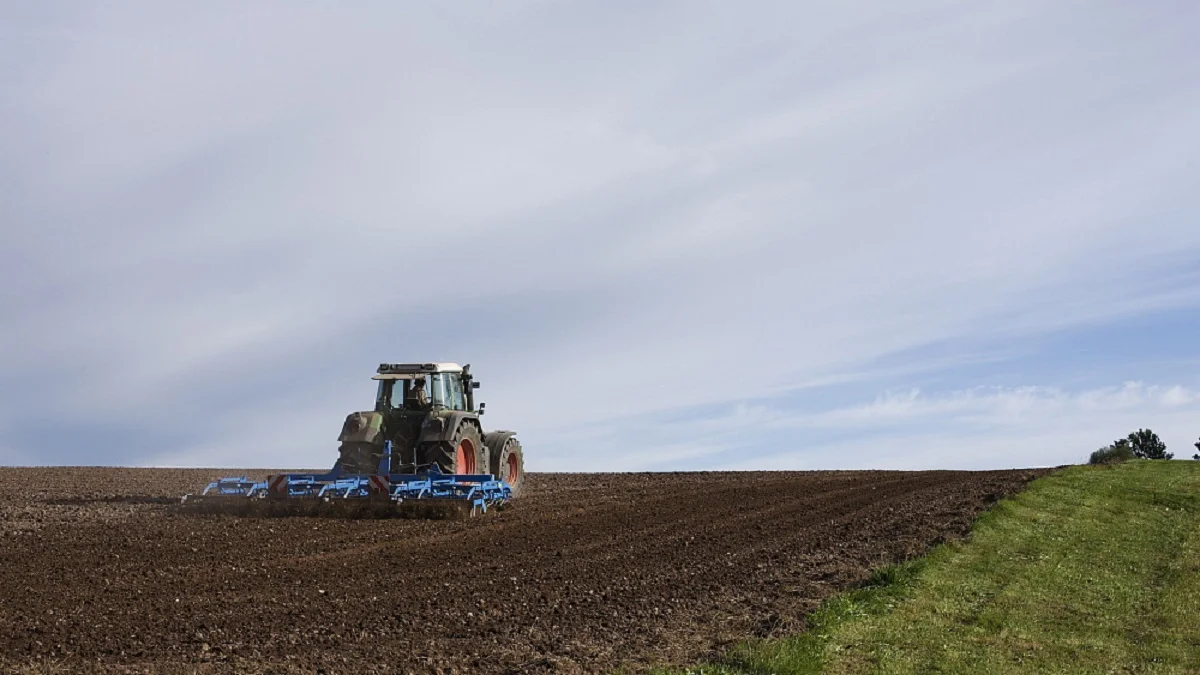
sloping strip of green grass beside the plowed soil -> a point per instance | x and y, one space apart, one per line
1090 570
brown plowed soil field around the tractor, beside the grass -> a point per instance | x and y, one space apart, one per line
585 574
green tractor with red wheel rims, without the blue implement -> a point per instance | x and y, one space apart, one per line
429 414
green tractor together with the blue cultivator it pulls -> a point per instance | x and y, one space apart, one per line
423 446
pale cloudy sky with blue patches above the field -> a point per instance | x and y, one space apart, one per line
667 236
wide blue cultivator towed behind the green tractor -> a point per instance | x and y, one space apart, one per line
377 495
